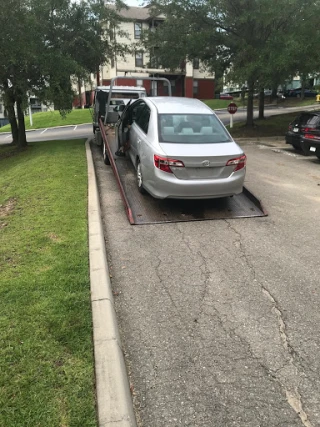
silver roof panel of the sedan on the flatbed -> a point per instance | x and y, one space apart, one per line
179 105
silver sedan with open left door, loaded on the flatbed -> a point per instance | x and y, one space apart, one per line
180 149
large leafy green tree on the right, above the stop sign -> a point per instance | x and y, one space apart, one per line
243 36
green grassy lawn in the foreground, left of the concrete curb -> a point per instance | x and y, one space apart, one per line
46 355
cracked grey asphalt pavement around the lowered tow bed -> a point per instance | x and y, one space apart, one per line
220 319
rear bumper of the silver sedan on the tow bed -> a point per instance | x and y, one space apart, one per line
167 185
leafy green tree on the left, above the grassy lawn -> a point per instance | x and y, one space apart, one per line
43 44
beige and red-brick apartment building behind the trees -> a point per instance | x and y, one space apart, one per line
191 80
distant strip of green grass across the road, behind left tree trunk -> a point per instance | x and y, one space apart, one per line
54 118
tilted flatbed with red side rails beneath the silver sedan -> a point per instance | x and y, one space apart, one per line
144 209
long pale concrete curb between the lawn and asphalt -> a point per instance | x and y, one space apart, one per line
114 402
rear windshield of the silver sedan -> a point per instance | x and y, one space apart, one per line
191 129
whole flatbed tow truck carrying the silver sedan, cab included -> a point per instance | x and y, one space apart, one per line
142 208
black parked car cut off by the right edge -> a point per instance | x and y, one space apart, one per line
304 133
